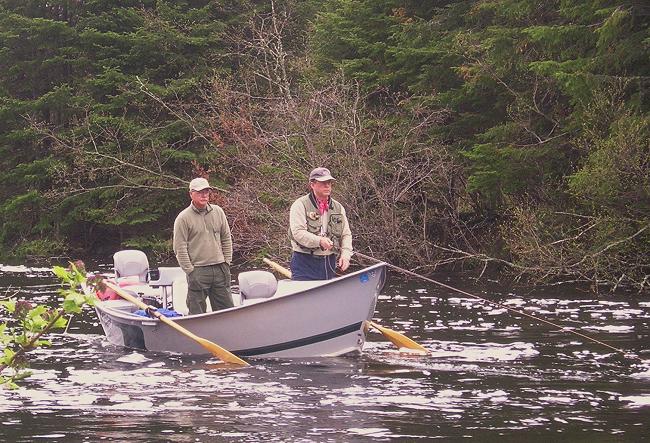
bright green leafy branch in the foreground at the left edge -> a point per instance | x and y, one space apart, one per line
26 325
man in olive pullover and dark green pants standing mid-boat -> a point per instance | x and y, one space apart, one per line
203 248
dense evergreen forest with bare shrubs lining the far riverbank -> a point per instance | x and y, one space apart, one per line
508 135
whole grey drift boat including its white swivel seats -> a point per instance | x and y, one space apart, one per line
271 318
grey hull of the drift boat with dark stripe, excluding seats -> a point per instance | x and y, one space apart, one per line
303 320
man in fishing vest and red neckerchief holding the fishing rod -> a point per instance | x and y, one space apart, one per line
319 230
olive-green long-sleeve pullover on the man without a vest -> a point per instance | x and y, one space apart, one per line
202 237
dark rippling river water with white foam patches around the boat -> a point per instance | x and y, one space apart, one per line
491 376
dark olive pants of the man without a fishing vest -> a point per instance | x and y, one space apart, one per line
209 281
